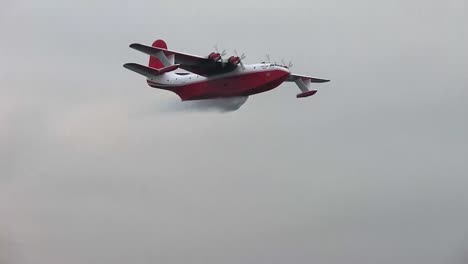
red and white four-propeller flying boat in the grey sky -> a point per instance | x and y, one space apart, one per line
212 77
